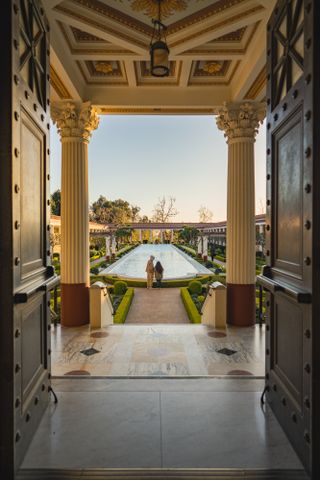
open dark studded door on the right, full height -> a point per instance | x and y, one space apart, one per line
291 276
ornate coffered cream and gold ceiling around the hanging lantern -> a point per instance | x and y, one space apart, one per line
100 52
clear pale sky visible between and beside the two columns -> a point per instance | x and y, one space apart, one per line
142 158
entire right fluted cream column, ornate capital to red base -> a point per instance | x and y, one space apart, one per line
240 122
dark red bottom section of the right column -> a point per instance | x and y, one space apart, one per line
241 305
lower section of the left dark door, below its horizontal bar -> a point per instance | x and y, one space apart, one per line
32 368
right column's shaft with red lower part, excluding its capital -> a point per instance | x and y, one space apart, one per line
241 233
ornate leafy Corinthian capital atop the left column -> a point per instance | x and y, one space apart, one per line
75 119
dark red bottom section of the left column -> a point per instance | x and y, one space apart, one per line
74 304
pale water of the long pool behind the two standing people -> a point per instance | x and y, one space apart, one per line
176 264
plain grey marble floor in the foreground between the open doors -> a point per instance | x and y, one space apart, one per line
160 424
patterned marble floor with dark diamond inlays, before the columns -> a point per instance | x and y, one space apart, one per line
158 351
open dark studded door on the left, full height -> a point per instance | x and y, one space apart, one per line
24 219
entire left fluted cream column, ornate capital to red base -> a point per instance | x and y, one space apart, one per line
75 122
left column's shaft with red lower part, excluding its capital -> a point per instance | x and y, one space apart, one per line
74 232
